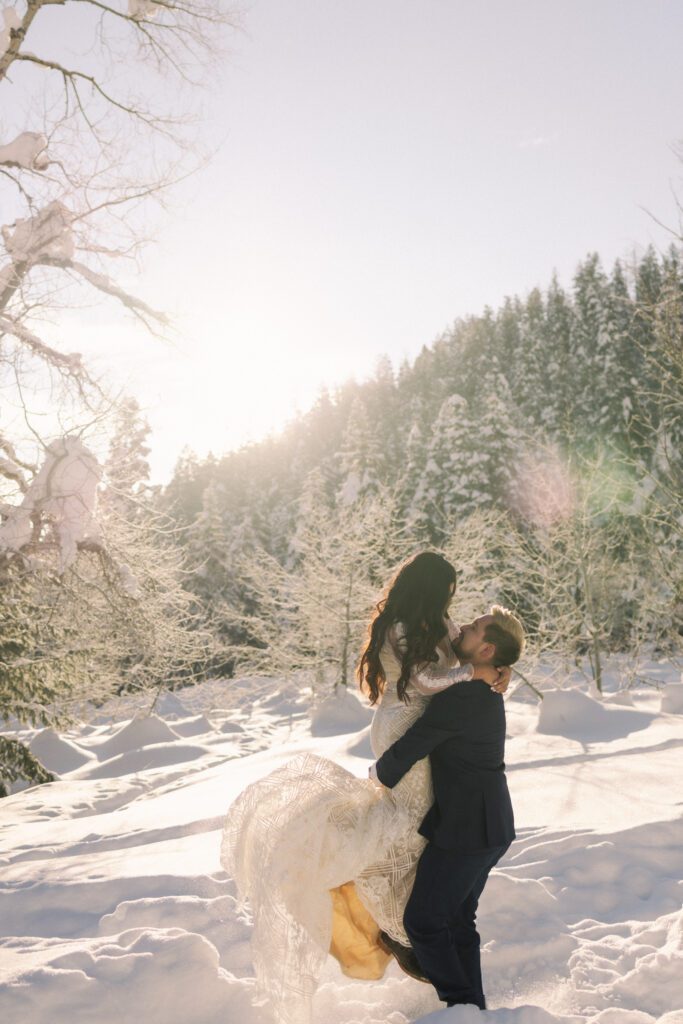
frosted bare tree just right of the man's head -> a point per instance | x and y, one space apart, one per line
577 562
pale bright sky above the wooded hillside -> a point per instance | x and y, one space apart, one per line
385 168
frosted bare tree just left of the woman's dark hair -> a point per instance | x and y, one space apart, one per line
311 619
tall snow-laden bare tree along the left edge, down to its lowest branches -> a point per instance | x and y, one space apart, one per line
92 138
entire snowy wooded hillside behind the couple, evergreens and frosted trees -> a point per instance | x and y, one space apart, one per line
539 445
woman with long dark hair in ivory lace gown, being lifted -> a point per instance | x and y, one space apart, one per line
327 861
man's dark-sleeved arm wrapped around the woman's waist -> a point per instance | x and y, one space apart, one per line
447 717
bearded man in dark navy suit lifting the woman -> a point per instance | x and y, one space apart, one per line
471 825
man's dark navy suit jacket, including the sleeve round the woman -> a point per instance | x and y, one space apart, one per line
463 732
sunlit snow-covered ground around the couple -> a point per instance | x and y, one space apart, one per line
114 907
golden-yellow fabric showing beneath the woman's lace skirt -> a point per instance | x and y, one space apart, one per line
356 936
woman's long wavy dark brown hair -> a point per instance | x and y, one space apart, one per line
417 596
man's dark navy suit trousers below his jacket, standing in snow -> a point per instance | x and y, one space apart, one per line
441 917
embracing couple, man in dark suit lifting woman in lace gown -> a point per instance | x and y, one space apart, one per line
393 866
